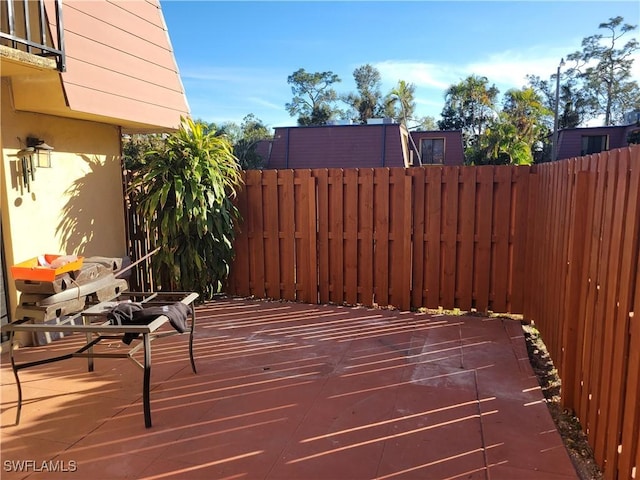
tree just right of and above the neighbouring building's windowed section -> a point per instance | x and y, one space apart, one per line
470 106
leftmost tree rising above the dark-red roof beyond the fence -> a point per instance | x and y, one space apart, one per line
313 97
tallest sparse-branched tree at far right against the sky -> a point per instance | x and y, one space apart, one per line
604 68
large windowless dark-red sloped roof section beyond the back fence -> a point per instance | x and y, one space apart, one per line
344 146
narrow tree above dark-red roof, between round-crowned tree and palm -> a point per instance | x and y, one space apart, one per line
367 101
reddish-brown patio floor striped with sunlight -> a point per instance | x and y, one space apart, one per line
296 392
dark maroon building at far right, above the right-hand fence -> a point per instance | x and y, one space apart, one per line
577 142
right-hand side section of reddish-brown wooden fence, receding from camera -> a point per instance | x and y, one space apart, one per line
584 295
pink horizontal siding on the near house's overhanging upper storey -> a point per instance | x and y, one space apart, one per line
120 63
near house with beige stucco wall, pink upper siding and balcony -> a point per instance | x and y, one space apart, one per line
82 74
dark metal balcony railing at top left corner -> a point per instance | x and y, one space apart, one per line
24 26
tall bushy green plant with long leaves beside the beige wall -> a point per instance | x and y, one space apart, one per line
184 191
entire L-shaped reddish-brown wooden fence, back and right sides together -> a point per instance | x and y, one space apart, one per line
557 242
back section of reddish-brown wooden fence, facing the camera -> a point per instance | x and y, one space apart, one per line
425 237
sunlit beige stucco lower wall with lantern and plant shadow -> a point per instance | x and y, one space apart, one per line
74 207
